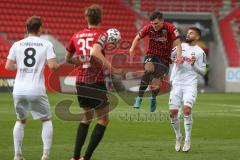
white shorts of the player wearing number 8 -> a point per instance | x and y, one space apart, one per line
37 105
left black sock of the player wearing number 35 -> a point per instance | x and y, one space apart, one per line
80 139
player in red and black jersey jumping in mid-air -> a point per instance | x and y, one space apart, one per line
162 35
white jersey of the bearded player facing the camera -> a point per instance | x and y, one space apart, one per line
185 73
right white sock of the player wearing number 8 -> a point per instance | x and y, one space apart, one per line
47 132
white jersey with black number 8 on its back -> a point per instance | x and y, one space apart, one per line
31 55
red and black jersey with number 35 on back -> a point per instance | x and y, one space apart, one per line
82 44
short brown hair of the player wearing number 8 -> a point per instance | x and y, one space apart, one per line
33 24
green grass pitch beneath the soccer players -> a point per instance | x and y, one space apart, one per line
215 135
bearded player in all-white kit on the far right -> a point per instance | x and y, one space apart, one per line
184 86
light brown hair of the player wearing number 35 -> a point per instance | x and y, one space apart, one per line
93 14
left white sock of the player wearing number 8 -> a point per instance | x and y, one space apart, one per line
18 134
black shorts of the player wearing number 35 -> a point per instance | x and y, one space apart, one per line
92 95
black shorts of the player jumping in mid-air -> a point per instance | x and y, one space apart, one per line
160 68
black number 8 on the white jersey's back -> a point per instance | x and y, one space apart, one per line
29 59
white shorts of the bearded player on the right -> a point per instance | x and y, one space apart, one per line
182 95
